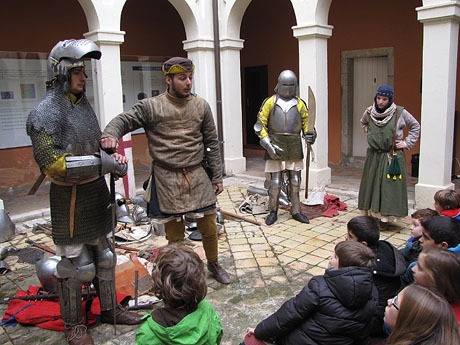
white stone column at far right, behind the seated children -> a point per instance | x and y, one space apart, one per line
439 72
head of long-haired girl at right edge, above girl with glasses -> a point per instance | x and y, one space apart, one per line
439 269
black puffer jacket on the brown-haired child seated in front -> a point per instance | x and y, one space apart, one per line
335 308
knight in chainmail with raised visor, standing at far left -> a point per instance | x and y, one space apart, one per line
65 138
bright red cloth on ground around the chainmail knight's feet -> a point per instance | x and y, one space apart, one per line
47 314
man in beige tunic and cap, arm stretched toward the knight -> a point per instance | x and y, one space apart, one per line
181 134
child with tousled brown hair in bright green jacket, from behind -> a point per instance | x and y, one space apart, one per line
179 280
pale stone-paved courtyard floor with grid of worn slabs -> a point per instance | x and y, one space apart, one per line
269 264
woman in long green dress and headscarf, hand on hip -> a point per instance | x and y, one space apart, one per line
383 188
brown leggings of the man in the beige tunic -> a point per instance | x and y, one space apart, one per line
206 226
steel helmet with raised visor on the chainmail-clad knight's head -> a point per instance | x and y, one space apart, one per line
69 54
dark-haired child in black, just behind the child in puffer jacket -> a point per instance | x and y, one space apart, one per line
390 264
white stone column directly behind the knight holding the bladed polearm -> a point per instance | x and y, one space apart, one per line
313 73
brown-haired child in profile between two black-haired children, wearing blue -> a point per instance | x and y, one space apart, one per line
413 249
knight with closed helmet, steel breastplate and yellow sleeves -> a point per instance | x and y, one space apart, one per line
281 119
